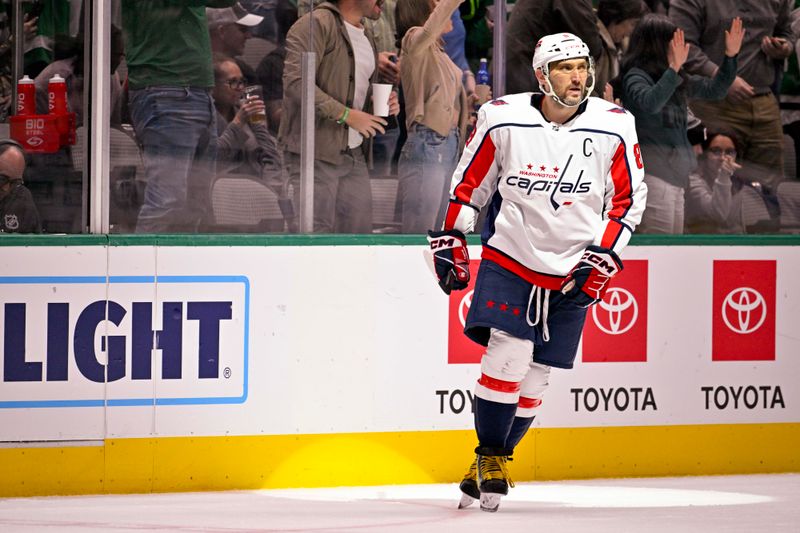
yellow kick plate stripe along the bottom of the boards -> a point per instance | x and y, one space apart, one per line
282 461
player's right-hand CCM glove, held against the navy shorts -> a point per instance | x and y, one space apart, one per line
588 281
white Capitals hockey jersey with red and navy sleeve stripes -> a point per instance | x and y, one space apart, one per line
553 189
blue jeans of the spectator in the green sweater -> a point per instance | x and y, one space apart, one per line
176 128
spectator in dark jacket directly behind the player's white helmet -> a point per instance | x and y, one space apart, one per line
533 19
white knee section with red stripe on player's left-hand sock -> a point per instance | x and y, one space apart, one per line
503 367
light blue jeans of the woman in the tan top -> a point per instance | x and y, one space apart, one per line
425 169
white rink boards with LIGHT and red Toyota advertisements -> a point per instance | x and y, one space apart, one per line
135 341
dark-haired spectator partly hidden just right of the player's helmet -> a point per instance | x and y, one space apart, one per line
615 22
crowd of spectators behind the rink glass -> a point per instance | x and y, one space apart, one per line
205 109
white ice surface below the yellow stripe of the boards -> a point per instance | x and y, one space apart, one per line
757 503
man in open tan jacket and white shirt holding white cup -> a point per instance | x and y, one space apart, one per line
346 65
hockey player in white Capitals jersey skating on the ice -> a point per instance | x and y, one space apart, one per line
561 173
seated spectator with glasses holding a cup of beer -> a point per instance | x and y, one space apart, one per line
244 145
